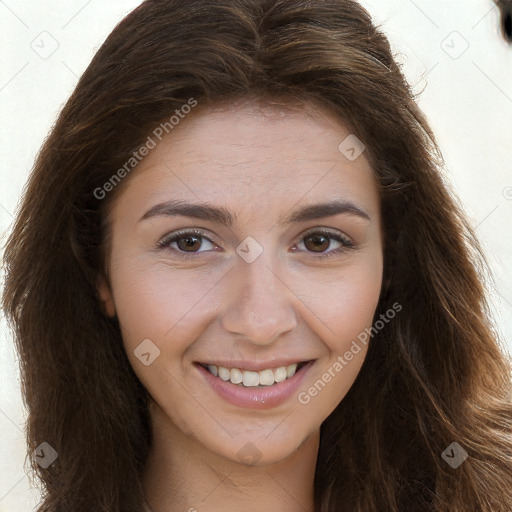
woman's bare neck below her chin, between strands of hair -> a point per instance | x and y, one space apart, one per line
181 475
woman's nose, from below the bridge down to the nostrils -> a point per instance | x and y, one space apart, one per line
260 304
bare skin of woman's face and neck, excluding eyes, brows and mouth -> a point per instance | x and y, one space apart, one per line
260 164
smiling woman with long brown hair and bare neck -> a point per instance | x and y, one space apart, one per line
187 345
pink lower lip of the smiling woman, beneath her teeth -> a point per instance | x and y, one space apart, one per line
254 397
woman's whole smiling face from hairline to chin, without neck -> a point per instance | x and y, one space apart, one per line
266 279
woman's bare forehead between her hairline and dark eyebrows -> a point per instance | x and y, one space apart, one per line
255 157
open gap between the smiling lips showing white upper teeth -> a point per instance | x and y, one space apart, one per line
257 379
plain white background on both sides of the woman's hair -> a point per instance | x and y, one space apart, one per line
467 98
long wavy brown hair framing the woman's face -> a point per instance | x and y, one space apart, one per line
436 375
